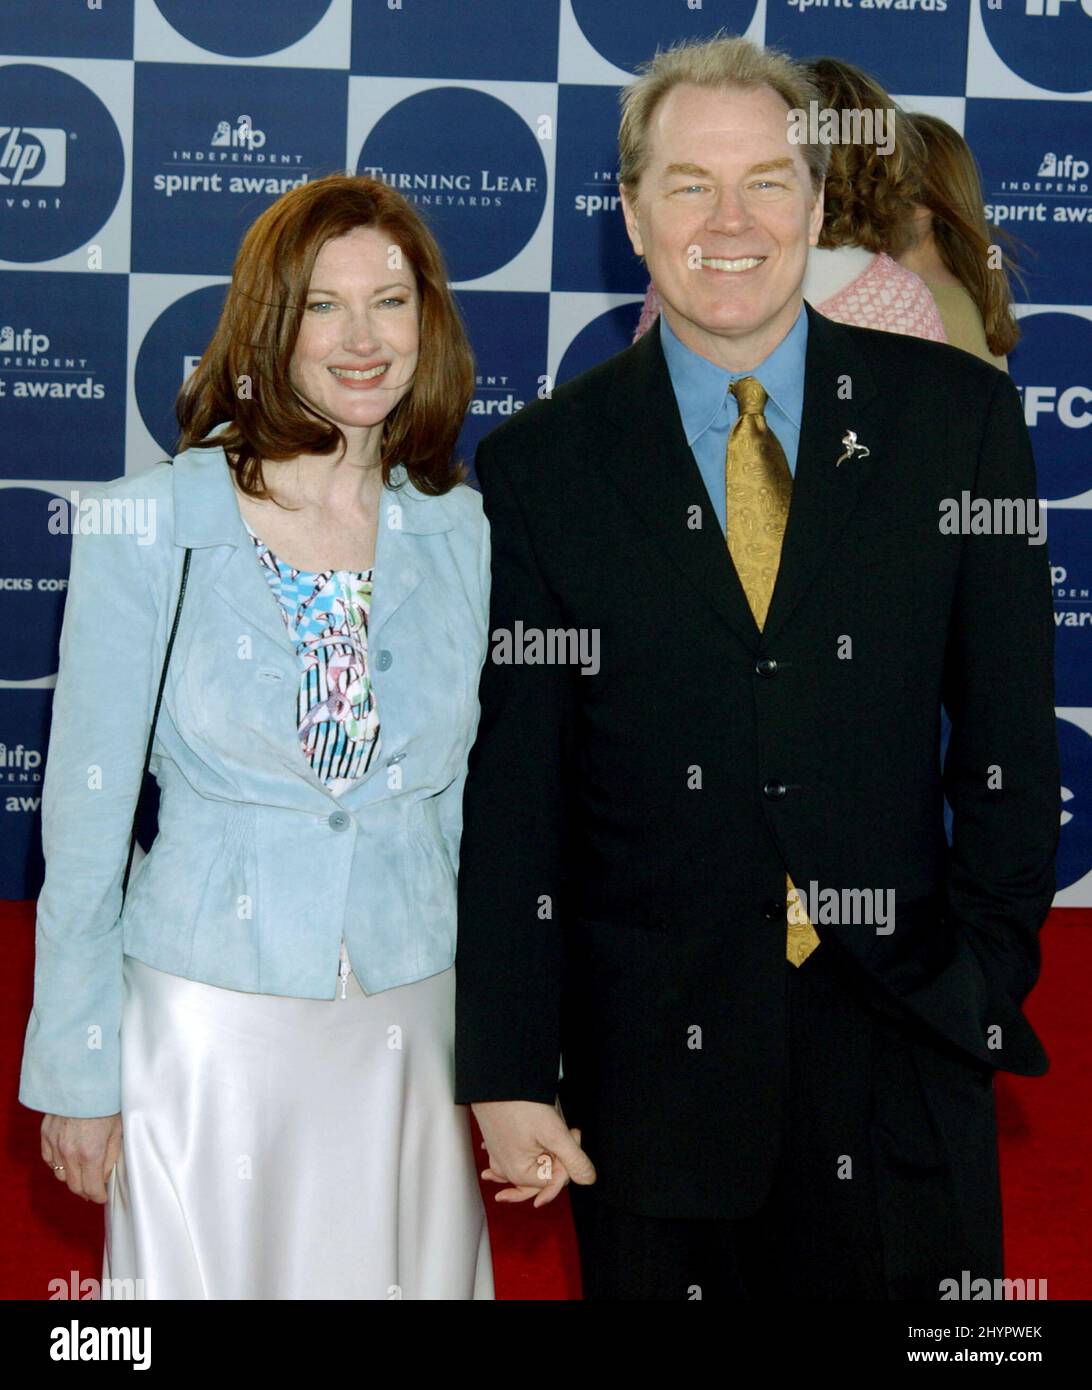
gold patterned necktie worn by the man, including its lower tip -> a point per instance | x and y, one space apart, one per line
758 490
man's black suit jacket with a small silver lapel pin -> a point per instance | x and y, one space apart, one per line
627 835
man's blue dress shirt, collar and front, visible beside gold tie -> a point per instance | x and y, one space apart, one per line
709 409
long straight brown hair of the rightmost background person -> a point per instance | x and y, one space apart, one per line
948 243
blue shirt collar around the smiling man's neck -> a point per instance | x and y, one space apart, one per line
701 386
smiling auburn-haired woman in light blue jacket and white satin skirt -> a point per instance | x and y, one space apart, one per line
251 1061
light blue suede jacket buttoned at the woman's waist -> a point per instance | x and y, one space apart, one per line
258 869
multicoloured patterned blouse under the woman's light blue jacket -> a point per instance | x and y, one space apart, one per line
327 618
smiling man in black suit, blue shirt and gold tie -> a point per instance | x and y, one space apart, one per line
706 876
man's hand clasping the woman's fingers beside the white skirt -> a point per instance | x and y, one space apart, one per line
531 1149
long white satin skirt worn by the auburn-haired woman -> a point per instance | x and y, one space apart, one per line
292 1149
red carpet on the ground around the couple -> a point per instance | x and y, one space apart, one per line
1044 1132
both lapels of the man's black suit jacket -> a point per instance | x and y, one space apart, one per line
655 469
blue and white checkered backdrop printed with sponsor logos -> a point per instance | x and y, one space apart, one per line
140 138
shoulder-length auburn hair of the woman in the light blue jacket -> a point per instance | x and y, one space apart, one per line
244 373
